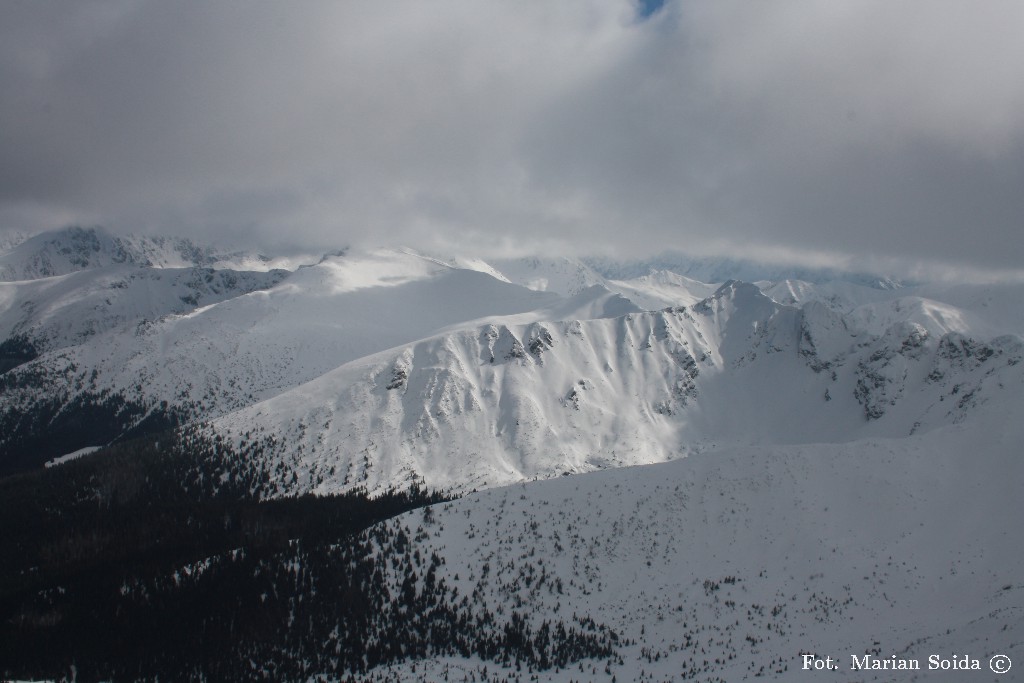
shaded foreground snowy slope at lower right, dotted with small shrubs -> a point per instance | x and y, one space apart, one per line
730 565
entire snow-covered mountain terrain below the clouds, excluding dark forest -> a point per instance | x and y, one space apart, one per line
832 462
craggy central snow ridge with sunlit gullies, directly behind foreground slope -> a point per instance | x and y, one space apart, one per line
515 399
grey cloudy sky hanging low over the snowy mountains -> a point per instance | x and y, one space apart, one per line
849 132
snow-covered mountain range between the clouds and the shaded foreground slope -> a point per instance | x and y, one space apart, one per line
380 368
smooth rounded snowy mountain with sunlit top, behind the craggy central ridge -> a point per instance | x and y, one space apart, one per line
318 319
